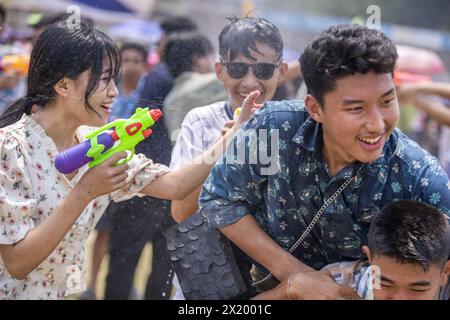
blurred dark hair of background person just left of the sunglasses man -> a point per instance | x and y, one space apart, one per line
182 48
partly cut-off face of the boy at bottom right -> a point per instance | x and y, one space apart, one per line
400 281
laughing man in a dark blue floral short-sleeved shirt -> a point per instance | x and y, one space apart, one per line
340 160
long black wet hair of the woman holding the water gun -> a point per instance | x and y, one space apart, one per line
64 50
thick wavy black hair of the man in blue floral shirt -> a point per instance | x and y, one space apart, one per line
345 50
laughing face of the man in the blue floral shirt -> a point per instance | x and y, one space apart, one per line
357 118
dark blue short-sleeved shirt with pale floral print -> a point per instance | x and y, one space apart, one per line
284 203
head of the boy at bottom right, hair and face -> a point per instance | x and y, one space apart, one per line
409 242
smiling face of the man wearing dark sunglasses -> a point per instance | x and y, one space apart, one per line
238 89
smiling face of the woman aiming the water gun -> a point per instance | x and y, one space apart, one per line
101 99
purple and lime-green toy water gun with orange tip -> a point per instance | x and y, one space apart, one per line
101 143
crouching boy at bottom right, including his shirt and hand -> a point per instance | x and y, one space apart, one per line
408 257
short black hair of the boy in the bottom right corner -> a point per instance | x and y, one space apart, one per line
411 232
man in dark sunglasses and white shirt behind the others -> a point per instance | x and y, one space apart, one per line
250 59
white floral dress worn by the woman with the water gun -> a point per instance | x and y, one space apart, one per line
30 189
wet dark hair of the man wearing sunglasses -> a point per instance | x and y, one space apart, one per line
240 36
